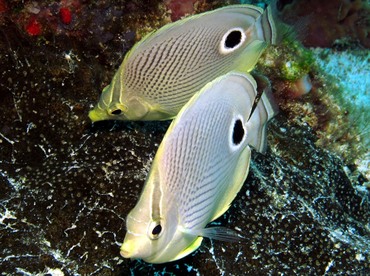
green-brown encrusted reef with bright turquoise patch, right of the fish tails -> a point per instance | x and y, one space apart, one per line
336 107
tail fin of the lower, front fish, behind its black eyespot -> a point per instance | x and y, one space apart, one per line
264 108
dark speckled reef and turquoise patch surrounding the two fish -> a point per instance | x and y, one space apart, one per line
66 185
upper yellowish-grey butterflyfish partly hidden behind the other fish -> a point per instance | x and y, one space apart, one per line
164 70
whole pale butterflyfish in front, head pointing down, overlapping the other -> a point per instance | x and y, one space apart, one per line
199 167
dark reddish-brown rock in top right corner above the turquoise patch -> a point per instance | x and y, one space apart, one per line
325 23
